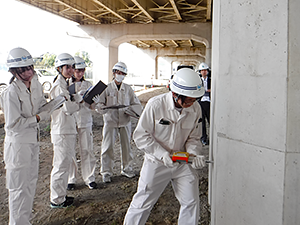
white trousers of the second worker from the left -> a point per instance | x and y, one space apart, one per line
63 153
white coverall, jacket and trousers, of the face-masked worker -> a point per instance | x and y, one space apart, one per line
115 120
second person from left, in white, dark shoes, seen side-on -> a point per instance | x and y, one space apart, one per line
63 132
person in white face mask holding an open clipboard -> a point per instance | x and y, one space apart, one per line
112 103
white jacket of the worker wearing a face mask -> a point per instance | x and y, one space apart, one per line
111 96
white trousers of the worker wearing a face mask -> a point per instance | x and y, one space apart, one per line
107 149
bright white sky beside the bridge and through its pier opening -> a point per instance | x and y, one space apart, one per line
39 32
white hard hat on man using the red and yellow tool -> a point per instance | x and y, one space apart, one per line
188 83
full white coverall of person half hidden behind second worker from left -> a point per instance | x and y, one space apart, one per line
84 123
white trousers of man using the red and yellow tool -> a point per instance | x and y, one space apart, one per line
153 180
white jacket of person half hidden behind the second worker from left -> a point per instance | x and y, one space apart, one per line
83 117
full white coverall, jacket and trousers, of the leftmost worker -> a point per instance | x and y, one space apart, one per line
21 147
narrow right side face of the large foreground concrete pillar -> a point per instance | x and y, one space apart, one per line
292 181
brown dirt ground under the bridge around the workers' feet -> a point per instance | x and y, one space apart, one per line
108 204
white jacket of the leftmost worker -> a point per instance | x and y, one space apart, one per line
20 107
